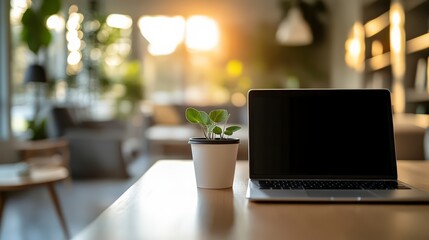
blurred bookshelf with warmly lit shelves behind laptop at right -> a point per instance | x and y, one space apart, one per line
378 66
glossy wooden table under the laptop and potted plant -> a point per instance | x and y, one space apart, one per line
166 204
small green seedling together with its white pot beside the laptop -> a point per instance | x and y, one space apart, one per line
215 154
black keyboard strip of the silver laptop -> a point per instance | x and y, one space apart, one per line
330 184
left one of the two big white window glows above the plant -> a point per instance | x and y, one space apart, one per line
163 33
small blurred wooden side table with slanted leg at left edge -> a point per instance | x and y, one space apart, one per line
42 176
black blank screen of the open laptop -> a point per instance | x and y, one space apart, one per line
321 133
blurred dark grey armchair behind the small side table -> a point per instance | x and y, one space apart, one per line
96 147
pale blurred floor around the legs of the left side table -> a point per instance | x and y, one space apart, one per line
29 214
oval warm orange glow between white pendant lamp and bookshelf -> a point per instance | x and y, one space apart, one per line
355 48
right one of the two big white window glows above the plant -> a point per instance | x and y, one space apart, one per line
202 33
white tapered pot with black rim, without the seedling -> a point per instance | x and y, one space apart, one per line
214 161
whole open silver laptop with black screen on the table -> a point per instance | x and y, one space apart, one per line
322 145
